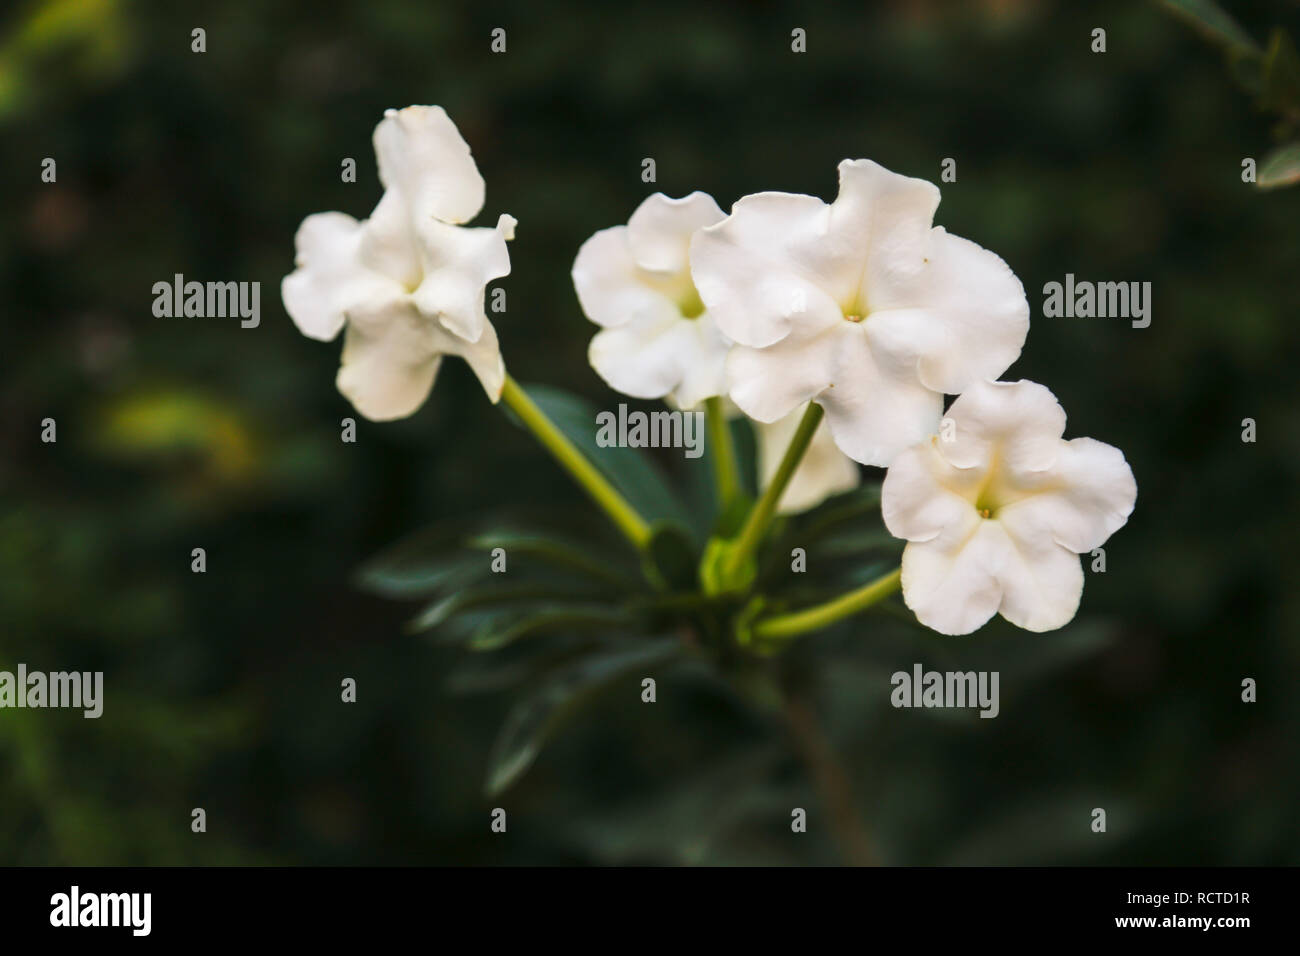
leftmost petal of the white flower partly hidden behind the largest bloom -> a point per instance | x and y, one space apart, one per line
613 291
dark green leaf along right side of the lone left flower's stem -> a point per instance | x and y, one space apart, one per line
630 470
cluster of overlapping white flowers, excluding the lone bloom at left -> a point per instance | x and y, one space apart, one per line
868 309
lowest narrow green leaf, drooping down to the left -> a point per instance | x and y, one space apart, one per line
536 719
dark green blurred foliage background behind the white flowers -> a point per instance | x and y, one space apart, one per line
223 690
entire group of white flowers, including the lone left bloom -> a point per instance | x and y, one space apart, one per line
863 306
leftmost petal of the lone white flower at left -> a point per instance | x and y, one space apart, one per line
330 279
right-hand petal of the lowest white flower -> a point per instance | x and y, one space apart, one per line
1086 498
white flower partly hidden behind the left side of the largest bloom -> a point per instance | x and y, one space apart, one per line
635 282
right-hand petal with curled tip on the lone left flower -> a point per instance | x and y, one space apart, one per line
458 265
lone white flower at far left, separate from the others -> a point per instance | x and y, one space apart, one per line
408 283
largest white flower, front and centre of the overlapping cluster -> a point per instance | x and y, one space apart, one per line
860 305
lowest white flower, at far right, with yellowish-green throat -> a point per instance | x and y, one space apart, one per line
996 517
